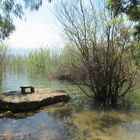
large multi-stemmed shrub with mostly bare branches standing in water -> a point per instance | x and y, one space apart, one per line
102 41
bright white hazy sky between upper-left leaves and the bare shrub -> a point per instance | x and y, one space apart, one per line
37 29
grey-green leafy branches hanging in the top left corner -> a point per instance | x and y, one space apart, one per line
10 9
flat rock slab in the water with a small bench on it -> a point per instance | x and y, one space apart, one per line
16 101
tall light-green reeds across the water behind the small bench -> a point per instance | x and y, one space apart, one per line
38 61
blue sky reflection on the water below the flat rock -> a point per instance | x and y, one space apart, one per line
36 127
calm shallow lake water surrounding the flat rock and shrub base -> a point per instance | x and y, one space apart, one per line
78 119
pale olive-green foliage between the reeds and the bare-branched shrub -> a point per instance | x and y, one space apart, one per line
66 61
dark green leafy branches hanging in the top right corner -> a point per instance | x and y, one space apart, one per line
129 7
